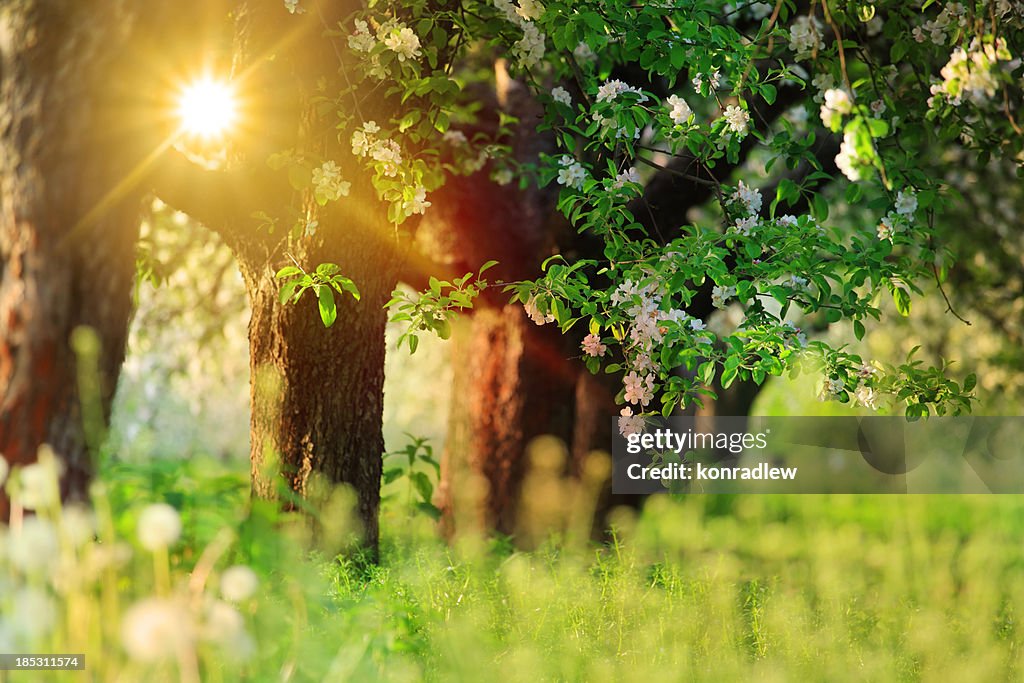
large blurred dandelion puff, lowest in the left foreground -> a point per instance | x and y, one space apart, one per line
157 629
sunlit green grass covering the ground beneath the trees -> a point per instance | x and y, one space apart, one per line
816 588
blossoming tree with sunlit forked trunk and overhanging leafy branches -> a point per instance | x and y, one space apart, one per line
351 113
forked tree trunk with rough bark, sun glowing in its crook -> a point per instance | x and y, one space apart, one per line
317 393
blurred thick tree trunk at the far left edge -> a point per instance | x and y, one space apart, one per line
68 227
